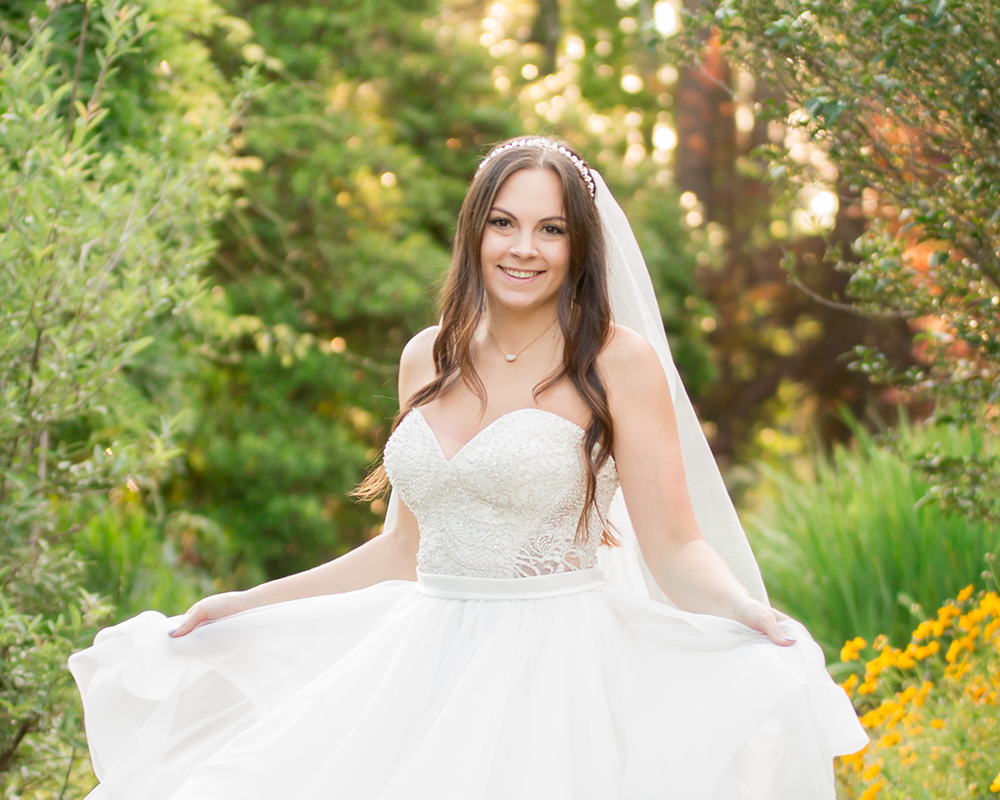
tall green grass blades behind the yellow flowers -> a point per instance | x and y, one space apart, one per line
850 550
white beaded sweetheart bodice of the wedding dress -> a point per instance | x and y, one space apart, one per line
504 506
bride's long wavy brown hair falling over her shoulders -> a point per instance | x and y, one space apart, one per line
584 306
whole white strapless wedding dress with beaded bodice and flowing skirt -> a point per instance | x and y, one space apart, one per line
510 670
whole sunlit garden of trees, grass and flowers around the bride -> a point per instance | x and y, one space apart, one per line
220 220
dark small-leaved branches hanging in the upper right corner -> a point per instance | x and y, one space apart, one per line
902 96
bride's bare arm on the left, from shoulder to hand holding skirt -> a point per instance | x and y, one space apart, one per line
392 555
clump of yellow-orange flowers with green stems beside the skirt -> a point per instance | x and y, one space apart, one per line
931 707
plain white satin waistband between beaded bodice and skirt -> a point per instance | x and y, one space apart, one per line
461 587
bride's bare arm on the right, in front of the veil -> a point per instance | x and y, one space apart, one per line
647 452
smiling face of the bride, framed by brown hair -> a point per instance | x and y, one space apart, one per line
525 245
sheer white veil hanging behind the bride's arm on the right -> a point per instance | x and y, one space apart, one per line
633 304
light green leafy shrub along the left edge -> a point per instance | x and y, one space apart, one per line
101 246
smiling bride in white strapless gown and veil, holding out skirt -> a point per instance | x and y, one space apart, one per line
561 605
